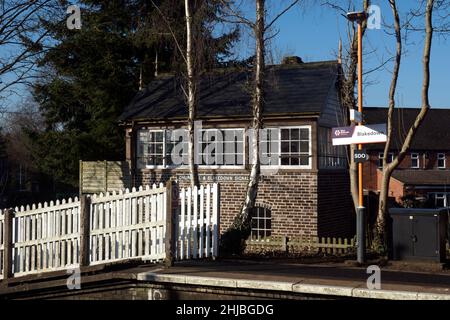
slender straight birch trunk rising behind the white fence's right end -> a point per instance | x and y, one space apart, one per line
191 95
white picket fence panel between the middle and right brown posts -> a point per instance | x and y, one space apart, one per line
128 225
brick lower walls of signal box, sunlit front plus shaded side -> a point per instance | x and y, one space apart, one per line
301 202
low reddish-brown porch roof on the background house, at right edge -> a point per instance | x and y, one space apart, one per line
423 177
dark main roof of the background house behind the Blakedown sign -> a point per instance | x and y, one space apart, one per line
433 134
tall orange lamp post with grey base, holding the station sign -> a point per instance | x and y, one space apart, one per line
360 17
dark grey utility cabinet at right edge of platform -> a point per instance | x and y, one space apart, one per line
419 233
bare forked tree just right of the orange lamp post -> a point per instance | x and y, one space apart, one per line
388 168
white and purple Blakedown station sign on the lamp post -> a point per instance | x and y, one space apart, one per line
374 133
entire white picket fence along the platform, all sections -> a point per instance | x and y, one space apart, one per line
123 225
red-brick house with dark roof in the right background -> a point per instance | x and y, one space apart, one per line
423 177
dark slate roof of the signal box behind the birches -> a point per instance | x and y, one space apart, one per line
290 89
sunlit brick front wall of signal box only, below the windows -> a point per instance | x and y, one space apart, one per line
291 196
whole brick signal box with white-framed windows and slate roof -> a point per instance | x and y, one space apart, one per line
306 193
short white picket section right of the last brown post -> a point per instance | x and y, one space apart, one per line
198 223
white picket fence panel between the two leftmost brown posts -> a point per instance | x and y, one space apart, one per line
46 238
